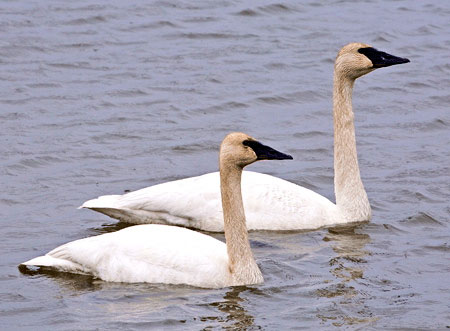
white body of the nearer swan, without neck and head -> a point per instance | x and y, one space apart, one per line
150 253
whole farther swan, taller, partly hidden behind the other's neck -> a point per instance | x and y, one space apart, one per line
271 203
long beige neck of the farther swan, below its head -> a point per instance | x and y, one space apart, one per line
351 197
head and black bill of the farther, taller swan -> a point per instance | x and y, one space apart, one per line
357 59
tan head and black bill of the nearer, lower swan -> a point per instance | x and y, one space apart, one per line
241 150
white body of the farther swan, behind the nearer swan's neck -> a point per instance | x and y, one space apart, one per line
270 203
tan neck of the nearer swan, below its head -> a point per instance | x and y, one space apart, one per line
243 267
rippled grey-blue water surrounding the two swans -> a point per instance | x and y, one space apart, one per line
102 97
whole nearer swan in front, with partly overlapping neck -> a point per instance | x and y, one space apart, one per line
155 253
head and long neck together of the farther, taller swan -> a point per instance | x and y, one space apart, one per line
353 61
